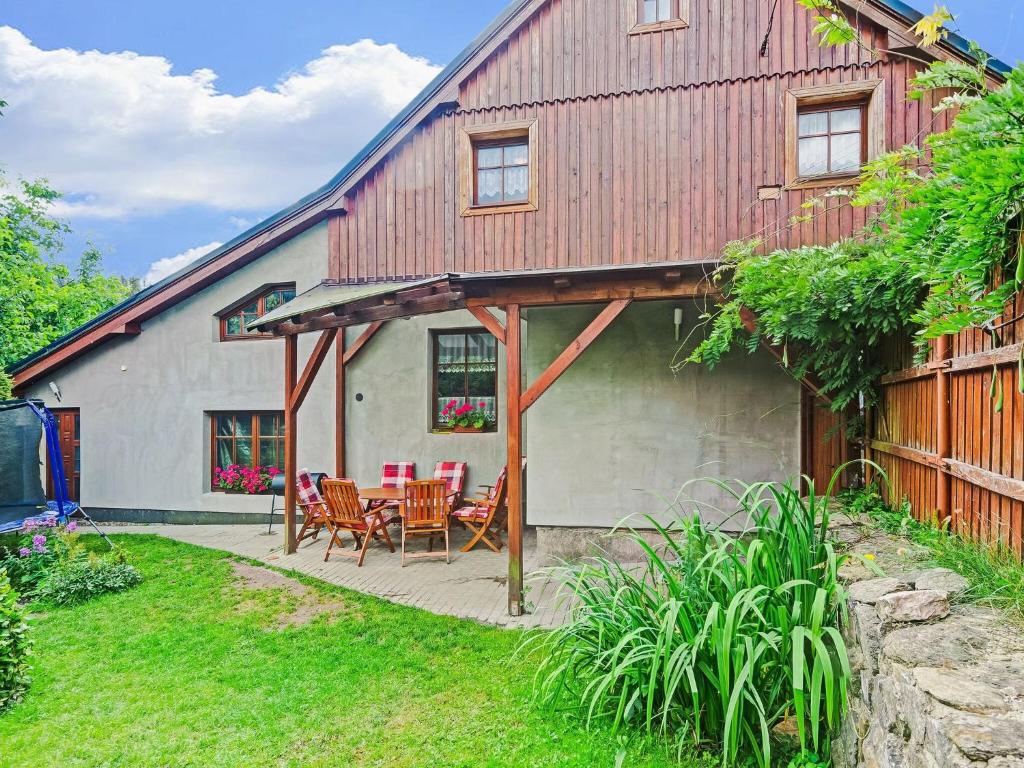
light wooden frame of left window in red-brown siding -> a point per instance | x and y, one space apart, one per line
472 139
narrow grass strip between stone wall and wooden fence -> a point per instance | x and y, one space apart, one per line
996 573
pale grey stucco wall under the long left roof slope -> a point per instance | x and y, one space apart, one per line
146 437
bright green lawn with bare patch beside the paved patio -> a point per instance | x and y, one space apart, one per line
198 668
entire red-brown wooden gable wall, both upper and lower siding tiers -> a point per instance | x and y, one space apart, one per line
653 148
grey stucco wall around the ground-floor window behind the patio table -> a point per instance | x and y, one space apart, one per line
393 421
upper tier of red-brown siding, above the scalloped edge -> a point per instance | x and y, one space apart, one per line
574 49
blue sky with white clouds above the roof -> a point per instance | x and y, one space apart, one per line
177 161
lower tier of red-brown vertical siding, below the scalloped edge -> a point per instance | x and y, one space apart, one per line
638 177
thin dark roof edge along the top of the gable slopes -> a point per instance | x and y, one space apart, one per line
910 15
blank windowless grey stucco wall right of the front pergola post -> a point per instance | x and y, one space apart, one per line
620 435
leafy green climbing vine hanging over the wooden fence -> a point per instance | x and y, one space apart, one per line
944 251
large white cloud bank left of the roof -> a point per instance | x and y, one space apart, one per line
123 136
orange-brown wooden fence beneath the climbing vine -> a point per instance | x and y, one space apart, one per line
944 444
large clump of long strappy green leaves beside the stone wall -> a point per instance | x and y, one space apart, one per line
715 638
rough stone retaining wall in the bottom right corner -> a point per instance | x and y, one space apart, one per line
937 684
